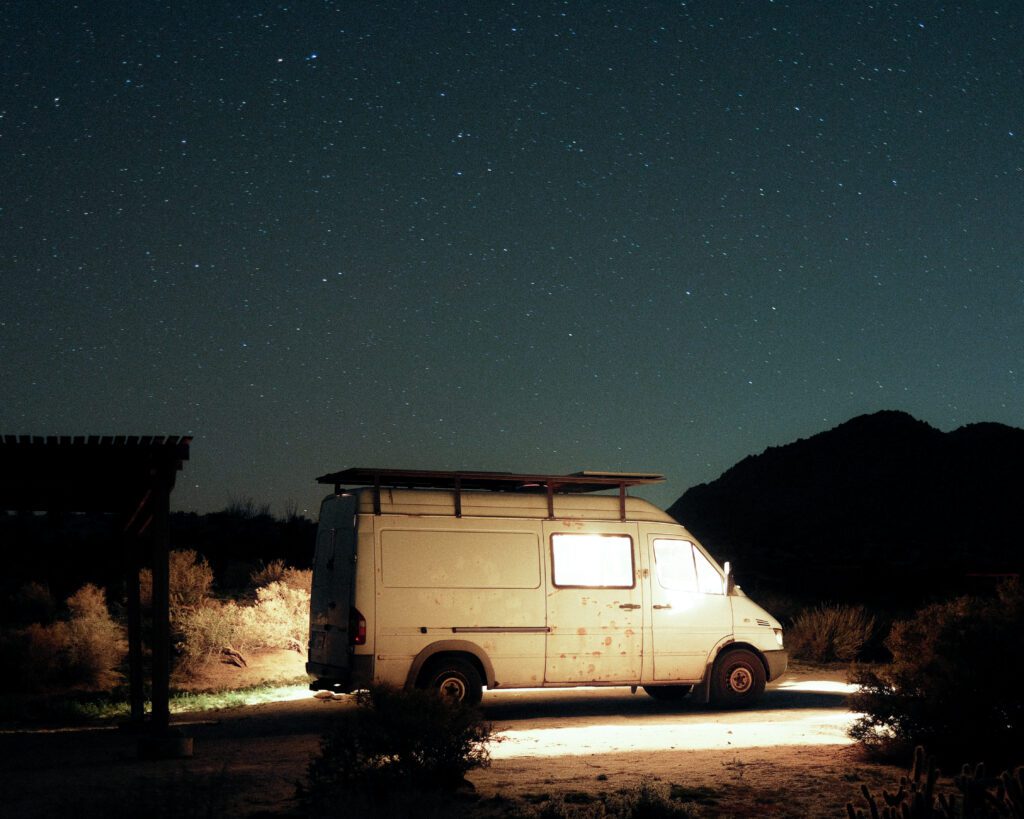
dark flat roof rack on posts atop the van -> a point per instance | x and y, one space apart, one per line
587 482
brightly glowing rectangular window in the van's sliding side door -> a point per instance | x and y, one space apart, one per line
604 562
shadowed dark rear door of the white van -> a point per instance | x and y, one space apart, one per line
331 602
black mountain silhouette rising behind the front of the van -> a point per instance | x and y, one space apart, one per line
883 509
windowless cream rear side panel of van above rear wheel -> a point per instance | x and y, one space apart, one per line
475 580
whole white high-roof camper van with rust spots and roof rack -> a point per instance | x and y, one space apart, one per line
456 581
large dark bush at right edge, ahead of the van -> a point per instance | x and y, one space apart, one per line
954 684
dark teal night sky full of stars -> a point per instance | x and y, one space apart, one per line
523 237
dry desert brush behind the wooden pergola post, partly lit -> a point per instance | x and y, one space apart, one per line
77 648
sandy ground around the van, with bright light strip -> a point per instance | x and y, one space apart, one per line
790 758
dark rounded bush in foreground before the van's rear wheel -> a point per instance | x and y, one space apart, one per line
397 742
